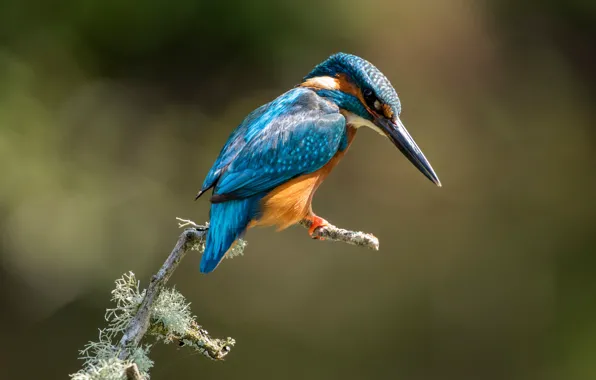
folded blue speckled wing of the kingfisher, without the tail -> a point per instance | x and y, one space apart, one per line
296 134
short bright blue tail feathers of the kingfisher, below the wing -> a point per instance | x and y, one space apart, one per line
227 222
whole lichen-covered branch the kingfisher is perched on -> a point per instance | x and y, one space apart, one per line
164 312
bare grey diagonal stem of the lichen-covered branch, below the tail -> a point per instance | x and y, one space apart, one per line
139 324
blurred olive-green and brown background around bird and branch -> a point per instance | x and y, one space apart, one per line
111 113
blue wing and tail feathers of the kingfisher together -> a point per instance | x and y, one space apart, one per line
296 134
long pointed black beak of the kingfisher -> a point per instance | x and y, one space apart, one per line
398 134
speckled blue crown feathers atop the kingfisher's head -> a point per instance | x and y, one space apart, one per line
363 73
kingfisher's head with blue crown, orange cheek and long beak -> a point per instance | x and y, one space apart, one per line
367 98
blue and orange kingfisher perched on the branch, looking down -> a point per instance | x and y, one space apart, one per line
269 169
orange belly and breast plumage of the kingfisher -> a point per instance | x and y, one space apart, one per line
291 202
